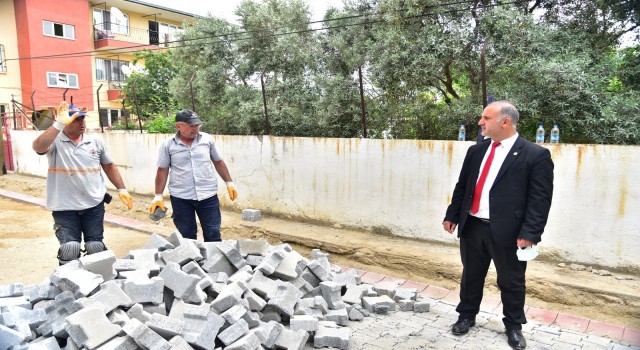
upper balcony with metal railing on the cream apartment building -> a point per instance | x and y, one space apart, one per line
120 37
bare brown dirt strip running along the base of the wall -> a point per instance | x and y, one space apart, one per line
28 248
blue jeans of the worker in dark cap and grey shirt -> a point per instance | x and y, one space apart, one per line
208 210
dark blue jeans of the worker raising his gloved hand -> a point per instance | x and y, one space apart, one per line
71 225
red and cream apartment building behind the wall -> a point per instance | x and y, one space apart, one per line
75 50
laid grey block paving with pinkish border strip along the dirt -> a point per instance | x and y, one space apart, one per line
546 329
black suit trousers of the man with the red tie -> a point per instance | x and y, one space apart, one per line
477 249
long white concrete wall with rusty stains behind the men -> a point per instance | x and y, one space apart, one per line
401 187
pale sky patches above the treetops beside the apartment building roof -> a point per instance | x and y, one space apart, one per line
225 8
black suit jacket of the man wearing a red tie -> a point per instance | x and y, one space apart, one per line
520 198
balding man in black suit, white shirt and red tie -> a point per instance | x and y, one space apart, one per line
498 210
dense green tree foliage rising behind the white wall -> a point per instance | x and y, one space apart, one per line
419 61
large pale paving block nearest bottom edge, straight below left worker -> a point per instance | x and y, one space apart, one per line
90 327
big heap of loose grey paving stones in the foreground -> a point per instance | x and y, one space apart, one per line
176 293
